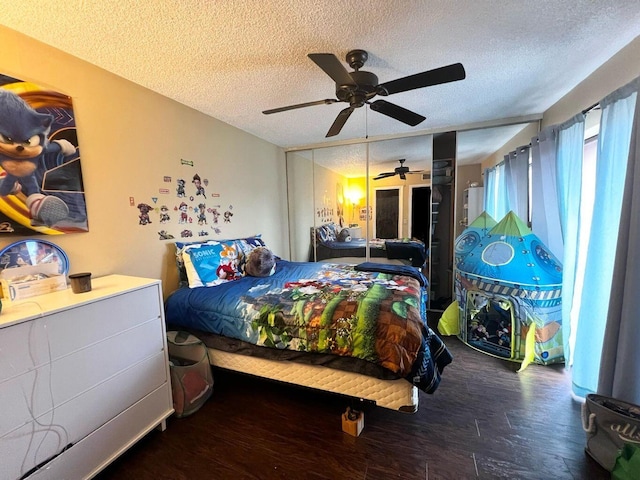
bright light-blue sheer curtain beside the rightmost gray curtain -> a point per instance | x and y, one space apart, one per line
611 165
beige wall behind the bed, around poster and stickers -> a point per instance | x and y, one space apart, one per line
130 138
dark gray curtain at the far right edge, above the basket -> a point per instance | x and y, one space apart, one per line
620 362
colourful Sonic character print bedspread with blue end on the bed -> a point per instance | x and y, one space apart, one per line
378 316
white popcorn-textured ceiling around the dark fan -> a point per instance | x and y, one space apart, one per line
233 59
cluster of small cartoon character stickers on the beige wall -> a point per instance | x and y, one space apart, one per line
190 208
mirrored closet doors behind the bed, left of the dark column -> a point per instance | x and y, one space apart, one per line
365 201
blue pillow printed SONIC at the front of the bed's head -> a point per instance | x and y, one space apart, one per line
210 263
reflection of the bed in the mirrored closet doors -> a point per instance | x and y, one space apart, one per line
328 244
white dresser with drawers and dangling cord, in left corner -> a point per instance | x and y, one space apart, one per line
82 377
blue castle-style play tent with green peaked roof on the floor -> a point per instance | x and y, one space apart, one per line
508 288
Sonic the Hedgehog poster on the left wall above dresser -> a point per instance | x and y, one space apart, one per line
41 189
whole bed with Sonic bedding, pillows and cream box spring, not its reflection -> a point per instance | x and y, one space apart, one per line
356 330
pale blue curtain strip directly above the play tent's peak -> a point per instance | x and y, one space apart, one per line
516 169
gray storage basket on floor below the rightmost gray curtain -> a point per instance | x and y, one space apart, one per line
609 424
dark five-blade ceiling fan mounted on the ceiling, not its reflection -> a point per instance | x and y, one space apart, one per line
357 88
